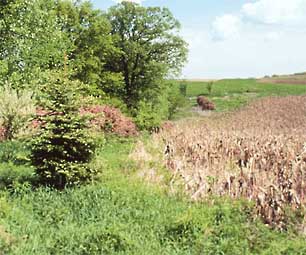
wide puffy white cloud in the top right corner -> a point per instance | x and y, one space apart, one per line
283 12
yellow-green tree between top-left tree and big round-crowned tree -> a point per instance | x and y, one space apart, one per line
89 30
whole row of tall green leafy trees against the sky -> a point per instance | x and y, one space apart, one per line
123 56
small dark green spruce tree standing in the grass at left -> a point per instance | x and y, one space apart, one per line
63 148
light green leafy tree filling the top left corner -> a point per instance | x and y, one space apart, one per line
31 40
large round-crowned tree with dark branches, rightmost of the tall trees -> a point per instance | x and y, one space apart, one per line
150 50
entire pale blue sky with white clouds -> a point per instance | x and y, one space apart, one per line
238 38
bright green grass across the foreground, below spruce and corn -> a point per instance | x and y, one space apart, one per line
121 215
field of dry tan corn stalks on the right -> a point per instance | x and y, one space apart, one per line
257 153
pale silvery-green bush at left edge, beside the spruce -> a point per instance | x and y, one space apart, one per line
16 109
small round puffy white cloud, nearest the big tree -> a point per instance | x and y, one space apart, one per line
226 27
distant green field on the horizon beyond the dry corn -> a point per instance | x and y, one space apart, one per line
234 93
